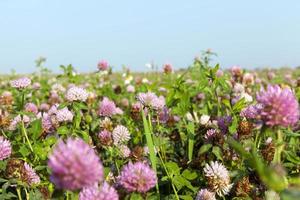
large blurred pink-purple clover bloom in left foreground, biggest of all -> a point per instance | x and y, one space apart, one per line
74 165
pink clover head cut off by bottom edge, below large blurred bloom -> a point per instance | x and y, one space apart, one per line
105 192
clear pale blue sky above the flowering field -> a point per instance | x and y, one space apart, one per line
134 32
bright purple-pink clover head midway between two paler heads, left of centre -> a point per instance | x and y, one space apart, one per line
108 108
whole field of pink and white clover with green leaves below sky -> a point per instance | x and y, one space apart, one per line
197 133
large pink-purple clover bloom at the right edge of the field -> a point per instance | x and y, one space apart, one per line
280 106
